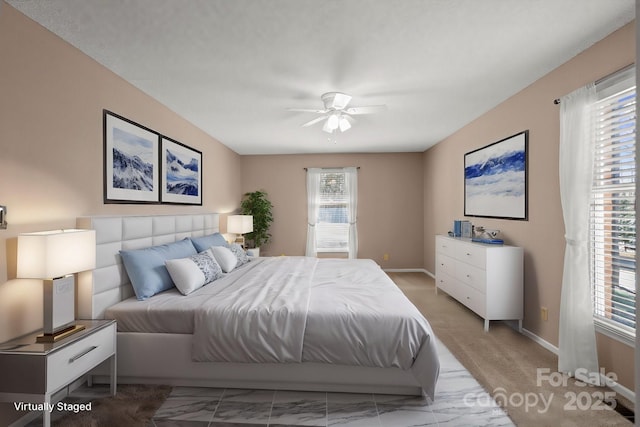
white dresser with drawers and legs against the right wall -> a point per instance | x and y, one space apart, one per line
486 278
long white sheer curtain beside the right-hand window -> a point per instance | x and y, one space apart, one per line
577 342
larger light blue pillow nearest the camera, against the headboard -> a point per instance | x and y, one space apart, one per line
146 267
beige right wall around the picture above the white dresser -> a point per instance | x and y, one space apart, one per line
542 236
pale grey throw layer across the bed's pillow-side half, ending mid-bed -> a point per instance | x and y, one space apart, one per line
259 316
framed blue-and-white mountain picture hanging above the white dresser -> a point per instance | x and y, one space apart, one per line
496 179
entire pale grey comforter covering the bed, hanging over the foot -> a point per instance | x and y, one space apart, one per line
298 309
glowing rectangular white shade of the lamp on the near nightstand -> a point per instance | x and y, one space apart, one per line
52 254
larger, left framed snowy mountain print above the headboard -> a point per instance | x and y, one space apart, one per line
131 161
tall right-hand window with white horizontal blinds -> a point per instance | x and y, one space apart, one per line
613 227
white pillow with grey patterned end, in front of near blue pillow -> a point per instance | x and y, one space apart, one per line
189 274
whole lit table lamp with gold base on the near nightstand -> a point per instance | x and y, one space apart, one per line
54 256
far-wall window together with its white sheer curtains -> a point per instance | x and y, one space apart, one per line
332 211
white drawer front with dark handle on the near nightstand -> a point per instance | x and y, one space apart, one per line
72 361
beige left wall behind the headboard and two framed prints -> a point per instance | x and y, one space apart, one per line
51 162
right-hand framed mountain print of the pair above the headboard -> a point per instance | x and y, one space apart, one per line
181 181
